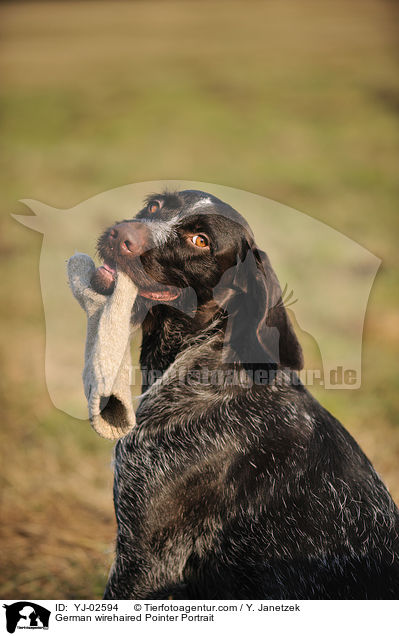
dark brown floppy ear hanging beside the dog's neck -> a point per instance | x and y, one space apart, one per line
259 330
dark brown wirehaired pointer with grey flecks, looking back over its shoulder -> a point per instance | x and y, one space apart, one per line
236 483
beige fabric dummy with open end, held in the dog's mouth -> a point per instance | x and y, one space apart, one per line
106 374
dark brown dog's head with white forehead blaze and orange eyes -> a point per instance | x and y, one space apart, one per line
191 240
